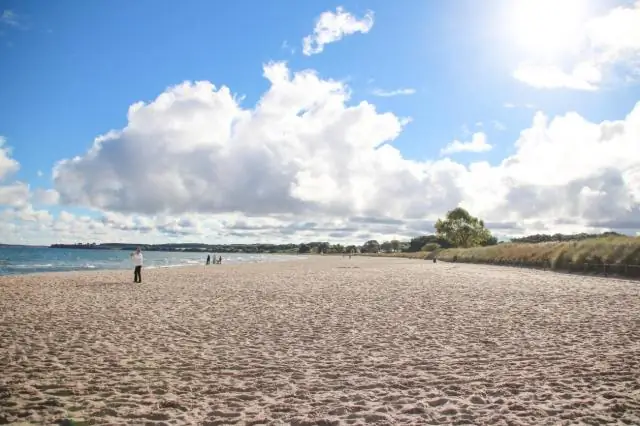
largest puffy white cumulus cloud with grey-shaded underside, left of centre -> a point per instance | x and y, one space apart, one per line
301 149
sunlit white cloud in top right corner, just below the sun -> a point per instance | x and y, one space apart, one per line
608 44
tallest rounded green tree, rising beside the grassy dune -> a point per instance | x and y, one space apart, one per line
461 229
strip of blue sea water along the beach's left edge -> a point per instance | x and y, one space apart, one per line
31 259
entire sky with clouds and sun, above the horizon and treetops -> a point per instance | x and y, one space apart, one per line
291 121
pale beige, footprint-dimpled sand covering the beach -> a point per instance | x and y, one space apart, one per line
323 341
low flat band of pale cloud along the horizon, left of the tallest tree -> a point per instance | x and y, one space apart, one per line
25 224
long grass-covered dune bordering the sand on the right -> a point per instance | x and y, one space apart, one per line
620 254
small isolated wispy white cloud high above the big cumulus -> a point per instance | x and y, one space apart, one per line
331 27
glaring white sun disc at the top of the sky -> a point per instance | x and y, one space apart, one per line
546 27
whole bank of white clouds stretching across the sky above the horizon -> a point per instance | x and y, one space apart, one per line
304 164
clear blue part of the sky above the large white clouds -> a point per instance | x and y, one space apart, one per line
71 69
